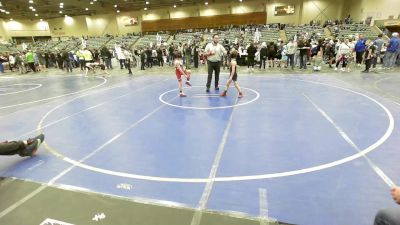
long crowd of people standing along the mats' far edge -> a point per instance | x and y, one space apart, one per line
300 51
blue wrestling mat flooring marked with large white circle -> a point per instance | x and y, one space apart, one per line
122 127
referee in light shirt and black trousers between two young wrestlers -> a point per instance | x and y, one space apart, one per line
214 51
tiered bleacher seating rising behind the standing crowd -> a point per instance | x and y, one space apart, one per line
242 34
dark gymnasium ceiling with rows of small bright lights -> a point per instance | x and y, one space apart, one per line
46 9
